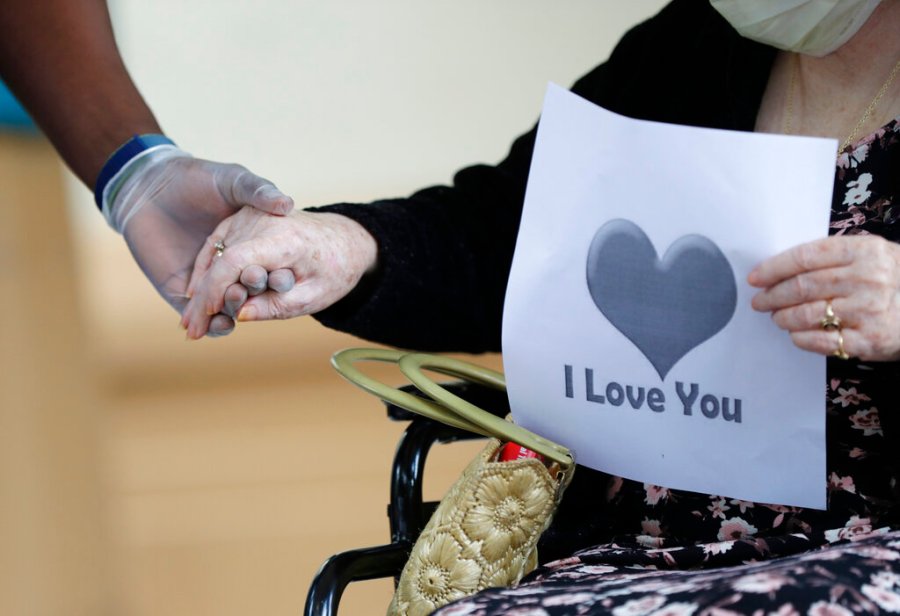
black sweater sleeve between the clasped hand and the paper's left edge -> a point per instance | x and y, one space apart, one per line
444 258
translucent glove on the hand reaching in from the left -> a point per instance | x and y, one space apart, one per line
166 203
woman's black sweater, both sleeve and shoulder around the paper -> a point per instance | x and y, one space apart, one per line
445 252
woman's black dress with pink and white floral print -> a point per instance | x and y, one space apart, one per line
665 552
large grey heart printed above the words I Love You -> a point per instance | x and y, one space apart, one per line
665 307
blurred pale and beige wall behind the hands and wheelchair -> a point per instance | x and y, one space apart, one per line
214 477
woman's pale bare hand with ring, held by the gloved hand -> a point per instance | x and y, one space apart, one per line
327 253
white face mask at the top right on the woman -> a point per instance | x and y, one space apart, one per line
814 27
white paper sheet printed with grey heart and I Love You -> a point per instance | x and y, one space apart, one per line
628 334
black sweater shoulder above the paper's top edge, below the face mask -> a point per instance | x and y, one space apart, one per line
684 65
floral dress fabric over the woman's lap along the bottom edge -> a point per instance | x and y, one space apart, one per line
861 576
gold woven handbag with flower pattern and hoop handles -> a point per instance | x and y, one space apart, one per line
485 530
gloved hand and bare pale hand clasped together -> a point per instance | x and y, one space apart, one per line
172 209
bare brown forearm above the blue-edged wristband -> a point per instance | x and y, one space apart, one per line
60 59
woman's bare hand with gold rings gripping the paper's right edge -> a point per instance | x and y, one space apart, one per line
859 275
